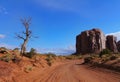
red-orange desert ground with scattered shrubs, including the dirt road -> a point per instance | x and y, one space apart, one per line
52 68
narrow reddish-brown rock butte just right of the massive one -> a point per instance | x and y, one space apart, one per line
111 43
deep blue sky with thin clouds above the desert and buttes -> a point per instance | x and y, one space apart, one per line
57 22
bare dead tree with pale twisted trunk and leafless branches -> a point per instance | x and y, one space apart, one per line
25 35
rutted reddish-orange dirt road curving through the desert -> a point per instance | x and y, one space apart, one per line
70 71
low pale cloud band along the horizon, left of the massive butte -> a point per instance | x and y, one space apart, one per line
58 51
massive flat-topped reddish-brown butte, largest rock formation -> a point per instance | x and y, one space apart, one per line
92 41
